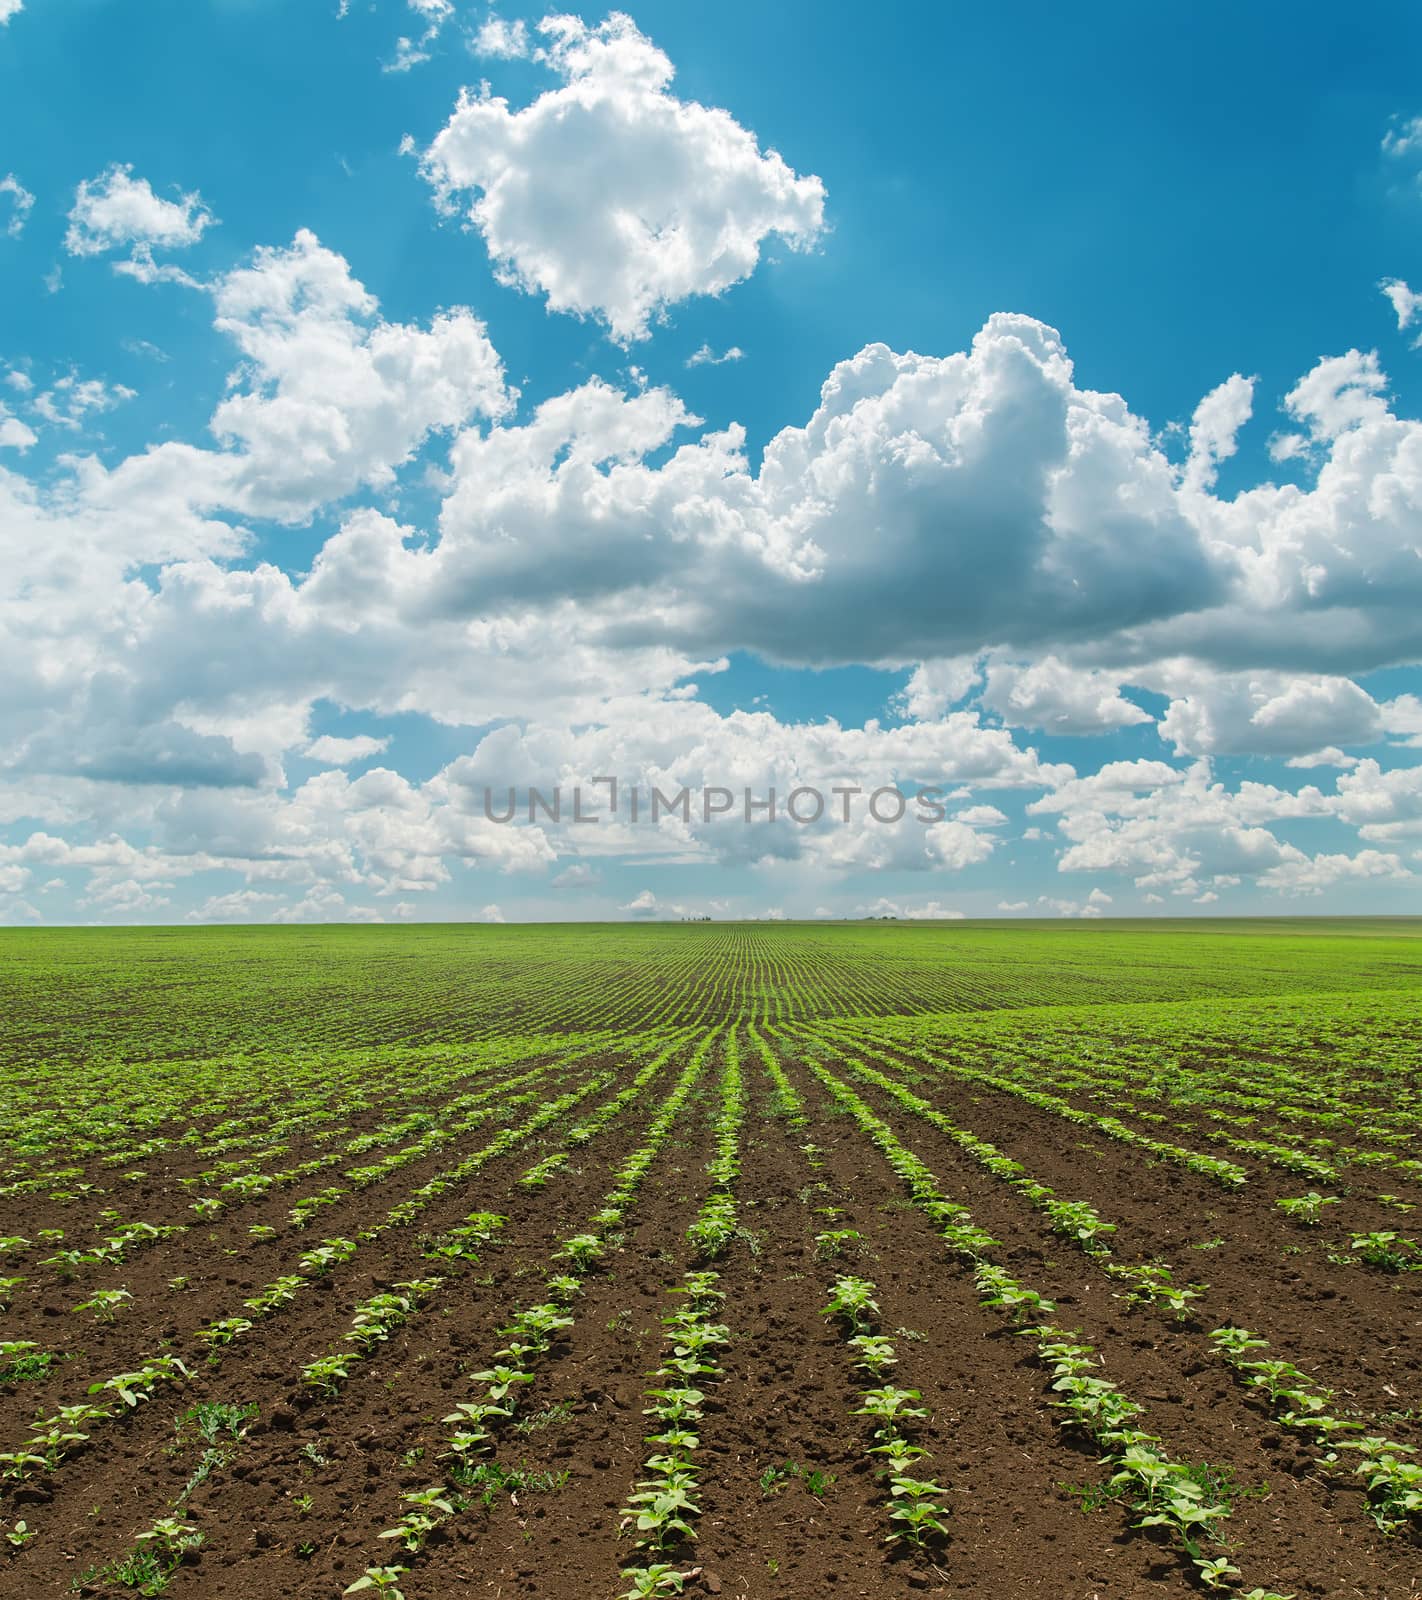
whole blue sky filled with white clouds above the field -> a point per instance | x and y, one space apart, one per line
999 404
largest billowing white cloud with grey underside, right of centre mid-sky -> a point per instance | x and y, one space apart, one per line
1005 506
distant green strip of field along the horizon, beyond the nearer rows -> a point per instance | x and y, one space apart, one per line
148 993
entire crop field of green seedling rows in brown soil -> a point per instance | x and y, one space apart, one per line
762 1260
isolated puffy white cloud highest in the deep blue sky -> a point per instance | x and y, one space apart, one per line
610 196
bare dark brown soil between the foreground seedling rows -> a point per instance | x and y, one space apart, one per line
298 1508
